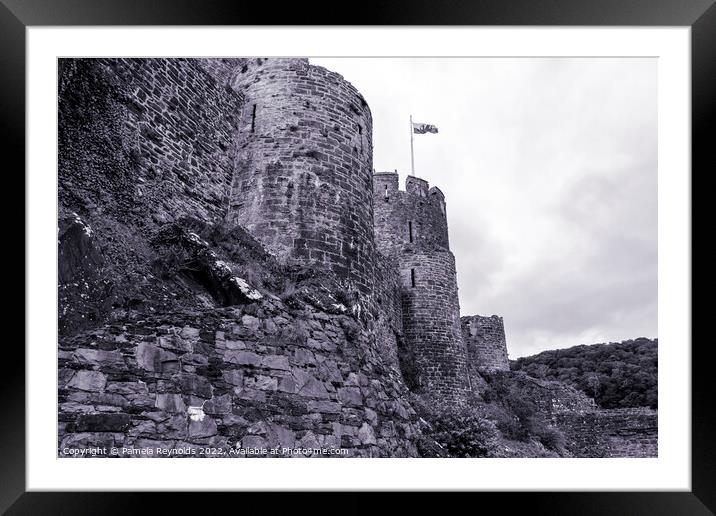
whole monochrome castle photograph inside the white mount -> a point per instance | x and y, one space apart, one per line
357 257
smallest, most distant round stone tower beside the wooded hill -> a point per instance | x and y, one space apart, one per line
486 344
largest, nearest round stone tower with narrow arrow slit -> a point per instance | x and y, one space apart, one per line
303 168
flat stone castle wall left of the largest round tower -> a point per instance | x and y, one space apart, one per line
145 136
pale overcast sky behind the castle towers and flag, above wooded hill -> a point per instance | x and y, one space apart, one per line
549 172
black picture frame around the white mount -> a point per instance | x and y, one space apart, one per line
16 15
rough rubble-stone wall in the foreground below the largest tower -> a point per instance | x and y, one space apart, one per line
256 377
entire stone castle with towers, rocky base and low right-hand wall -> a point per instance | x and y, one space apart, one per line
234 274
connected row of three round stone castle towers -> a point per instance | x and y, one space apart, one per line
304 185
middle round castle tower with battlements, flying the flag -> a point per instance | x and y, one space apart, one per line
411 226
